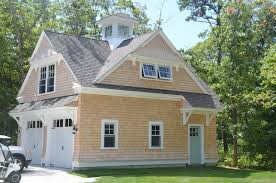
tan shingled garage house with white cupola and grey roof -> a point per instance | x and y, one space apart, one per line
119 101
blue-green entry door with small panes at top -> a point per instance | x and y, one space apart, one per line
195 145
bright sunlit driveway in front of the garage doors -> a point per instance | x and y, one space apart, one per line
50 175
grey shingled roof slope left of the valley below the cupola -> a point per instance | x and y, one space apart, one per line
85 56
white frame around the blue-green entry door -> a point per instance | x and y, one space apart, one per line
201 141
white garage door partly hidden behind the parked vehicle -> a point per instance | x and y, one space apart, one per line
34 140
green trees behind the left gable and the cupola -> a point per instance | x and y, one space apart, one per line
21 23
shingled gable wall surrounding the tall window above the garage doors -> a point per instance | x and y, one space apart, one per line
64 83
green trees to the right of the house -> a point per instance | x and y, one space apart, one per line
244 79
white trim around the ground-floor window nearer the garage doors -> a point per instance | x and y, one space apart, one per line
116 126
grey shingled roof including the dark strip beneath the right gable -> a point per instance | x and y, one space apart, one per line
89 59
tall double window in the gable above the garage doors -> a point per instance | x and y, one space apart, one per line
47 79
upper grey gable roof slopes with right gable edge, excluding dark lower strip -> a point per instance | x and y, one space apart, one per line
90 59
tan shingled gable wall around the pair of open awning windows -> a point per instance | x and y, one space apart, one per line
128 74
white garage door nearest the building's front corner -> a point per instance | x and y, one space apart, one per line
62 143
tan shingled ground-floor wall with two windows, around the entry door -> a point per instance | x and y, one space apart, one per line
134 115
